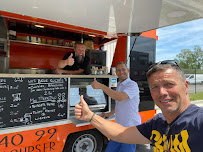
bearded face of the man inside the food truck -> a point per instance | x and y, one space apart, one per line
80 52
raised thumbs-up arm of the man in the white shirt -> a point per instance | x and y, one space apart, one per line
119 96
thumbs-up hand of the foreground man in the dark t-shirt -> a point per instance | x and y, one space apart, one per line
82 111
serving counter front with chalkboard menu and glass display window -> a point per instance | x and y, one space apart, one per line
37 99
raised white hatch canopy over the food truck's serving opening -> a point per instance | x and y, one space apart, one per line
112 17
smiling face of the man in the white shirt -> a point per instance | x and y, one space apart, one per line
122 72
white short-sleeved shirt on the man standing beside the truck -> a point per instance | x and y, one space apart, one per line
126 111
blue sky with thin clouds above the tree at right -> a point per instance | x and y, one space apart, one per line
173 38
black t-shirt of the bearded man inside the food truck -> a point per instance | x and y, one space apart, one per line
76 65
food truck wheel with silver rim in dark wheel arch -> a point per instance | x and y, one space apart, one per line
85 141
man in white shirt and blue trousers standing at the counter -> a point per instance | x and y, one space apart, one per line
127 101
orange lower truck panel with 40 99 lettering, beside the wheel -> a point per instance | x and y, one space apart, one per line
39 140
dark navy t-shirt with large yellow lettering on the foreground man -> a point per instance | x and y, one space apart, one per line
185 133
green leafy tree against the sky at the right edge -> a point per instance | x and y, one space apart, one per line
188 59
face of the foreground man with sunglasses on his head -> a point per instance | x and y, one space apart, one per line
168 91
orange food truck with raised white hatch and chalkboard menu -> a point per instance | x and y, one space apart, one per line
37 105
